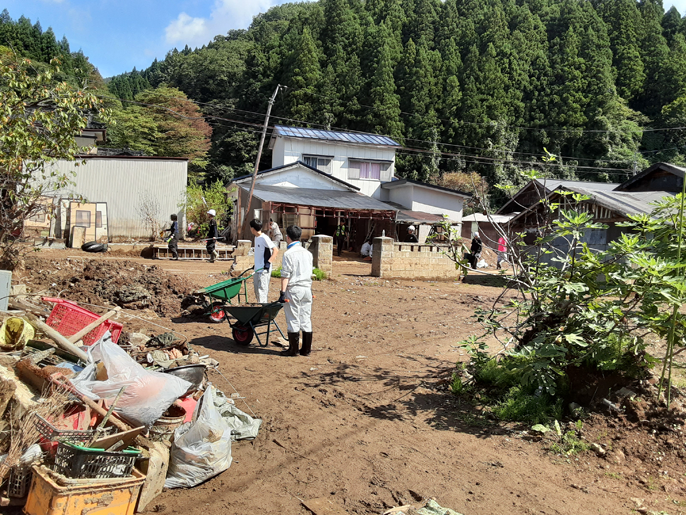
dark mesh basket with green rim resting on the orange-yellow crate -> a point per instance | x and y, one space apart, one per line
78 462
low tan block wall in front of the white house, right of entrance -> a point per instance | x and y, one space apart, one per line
410 261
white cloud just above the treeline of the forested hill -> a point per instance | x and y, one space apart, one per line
225 15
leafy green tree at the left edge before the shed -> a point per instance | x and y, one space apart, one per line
39 119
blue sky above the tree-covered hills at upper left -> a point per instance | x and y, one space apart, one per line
119 34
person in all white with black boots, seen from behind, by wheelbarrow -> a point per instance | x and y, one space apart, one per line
296 287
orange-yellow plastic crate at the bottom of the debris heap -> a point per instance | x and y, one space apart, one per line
92 496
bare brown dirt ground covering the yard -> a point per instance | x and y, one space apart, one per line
367 420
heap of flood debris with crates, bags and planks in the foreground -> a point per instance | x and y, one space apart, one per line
94 416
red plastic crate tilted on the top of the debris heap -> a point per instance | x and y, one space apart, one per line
68 318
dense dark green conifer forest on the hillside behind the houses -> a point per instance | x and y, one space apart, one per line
480 85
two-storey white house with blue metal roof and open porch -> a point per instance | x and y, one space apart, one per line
320 177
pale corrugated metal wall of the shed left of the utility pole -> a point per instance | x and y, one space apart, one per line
121 183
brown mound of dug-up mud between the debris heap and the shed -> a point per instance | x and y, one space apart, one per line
99 282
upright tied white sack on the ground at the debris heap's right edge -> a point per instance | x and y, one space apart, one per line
202 449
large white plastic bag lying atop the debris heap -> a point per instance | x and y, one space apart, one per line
147 395
